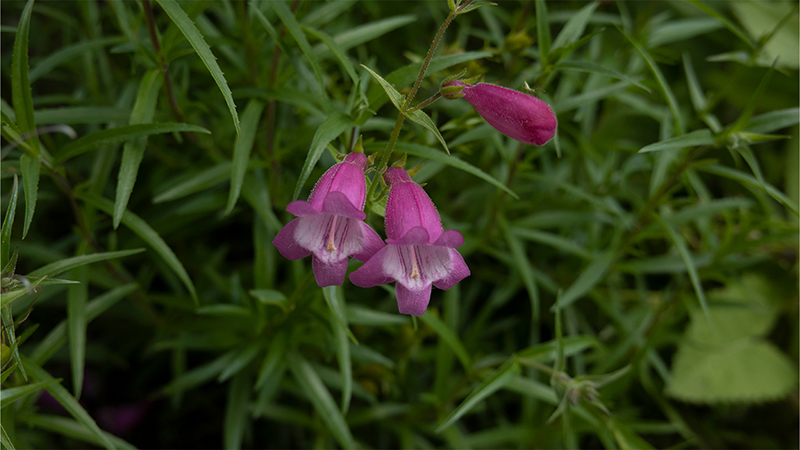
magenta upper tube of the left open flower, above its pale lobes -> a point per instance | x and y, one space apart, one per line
342 178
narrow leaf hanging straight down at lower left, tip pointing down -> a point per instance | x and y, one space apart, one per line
77 296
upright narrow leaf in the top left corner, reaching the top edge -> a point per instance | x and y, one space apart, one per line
20 84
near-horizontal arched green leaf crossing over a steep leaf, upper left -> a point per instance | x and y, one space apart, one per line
121 134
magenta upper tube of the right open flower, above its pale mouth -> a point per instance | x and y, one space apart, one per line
408 206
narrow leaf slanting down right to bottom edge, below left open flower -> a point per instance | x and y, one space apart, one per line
312 387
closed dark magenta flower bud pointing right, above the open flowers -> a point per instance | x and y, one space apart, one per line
513 113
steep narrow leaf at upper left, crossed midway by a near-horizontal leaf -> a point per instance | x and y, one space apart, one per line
133 151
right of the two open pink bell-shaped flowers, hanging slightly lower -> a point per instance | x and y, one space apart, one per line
419 252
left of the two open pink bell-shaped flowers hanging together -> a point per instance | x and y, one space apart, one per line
330 225
